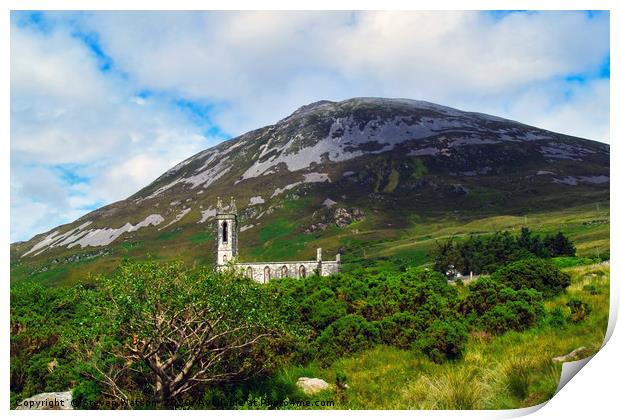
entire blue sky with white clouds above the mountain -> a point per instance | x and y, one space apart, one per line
102 103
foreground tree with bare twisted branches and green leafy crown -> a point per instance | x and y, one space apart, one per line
165 330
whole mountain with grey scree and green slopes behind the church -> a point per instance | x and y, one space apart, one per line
343 175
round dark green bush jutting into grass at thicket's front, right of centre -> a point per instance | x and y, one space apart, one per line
444 340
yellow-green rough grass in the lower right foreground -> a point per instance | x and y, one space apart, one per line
513 370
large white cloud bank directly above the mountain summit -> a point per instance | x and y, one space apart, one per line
264 65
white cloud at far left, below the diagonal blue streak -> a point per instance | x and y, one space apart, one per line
65 111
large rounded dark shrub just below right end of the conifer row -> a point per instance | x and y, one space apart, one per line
533 273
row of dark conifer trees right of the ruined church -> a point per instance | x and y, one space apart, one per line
486 254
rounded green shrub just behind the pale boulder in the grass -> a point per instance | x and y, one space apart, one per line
349 334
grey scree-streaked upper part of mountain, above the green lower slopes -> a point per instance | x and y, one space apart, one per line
352 156
